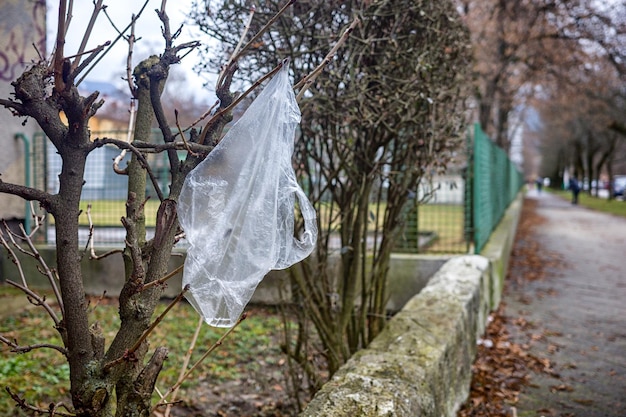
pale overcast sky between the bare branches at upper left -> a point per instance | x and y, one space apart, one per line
148 28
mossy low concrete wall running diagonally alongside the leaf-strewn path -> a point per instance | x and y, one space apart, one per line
420 364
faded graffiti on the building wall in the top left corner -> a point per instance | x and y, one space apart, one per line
22 35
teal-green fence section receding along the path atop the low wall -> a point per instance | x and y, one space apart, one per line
495 183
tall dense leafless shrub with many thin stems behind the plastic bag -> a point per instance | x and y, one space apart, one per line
386 113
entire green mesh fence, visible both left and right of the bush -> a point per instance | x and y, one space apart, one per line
449 214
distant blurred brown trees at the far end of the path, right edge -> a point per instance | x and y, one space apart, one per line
577 130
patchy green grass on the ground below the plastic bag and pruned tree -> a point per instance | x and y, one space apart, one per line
42 375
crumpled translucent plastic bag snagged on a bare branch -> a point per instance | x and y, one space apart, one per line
237 208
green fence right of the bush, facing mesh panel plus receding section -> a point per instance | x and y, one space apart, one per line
465 206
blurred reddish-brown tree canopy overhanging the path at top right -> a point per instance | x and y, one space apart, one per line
524 44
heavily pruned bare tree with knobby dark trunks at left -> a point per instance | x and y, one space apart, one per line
120 379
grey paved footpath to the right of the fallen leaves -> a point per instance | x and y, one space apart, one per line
576 314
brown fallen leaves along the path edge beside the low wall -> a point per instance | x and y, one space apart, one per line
502 368
